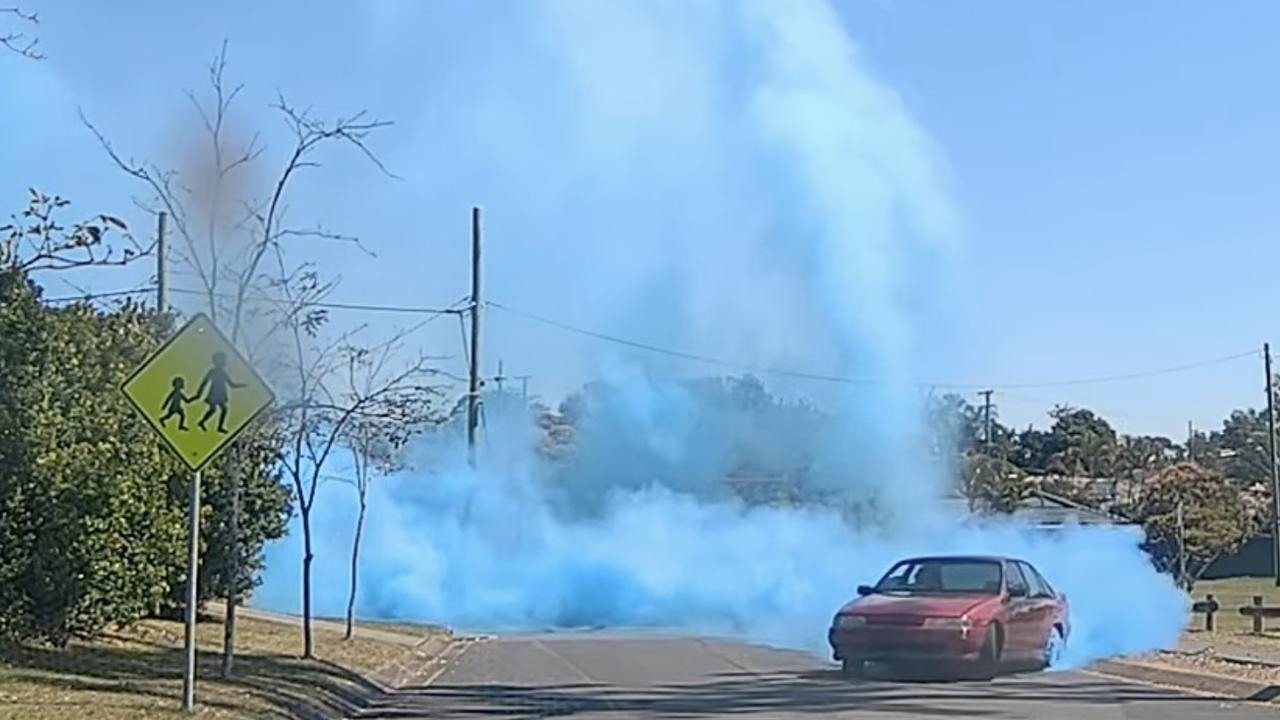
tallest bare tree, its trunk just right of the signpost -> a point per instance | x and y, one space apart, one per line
227 231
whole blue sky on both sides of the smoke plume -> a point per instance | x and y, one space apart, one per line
1114 171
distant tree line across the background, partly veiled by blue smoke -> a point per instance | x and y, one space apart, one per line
1196 500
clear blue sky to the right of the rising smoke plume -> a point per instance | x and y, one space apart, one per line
1118 166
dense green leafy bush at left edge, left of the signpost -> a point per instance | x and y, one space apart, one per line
92 525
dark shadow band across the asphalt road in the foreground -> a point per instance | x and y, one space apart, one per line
820 692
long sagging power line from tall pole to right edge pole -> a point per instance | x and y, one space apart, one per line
820 377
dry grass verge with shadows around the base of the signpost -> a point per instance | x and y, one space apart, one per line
136 673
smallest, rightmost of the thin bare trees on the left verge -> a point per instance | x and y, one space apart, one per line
377 440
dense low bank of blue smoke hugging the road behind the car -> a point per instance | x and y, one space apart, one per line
499 552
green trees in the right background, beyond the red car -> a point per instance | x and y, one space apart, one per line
1197 500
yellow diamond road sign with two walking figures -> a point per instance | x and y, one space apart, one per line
198 393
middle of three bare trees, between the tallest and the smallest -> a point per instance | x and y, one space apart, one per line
319 418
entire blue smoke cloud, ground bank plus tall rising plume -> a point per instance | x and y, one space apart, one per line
740 186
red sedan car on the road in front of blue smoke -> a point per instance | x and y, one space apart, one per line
980 612
